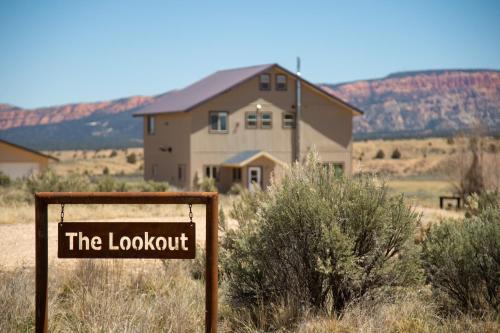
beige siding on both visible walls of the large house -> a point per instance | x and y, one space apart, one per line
326 124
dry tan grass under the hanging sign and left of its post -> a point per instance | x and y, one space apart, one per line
105 296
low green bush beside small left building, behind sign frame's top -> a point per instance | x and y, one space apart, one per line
49 181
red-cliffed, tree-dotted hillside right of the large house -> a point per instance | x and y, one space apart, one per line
424 103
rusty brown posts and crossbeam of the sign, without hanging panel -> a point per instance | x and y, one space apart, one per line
43 199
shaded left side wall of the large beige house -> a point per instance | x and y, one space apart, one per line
171 132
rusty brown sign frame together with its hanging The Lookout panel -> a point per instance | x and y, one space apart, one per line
166 240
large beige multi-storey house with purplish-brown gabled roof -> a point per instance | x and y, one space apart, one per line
240 125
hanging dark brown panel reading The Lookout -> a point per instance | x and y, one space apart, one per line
162 240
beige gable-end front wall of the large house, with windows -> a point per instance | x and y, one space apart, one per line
325 125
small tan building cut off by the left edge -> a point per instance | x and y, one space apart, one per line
17 161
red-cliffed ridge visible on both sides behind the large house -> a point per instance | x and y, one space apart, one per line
420 103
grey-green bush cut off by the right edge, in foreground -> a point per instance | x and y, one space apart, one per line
462 261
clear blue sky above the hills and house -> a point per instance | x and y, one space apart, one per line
56 52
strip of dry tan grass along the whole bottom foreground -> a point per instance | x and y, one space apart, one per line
115 296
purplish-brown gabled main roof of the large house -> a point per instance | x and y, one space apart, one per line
215 84
